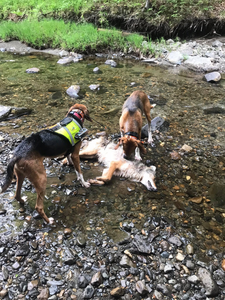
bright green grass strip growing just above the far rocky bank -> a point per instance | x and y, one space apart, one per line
68 36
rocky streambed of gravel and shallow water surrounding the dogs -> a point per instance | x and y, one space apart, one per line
117 241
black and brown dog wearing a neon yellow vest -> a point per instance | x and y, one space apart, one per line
62 139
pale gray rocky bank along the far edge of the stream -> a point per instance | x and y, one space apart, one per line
201 55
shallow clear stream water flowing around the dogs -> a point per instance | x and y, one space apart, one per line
180 96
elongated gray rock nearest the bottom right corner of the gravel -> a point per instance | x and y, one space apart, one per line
211 287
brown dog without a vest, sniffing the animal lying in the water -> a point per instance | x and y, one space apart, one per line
131 124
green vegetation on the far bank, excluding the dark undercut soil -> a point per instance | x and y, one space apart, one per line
64 23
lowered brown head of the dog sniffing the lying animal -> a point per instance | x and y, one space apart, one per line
129 145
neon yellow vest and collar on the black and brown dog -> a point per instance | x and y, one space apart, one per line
71 127
